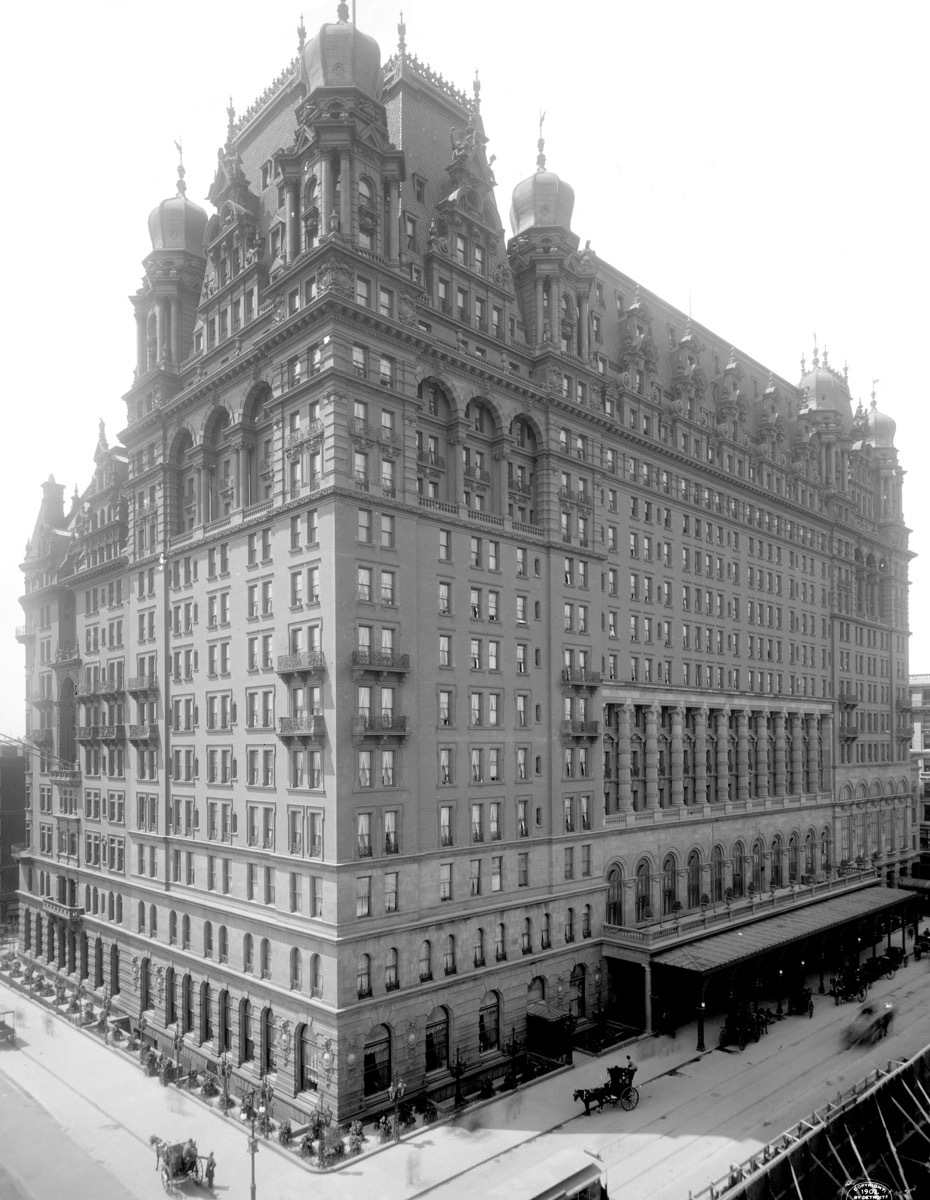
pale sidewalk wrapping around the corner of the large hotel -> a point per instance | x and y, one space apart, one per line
105 1102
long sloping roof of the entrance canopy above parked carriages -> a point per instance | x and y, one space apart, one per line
718 951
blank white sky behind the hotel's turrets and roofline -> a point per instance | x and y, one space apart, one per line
765 165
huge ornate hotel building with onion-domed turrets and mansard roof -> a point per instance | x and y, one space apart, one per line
452 617
